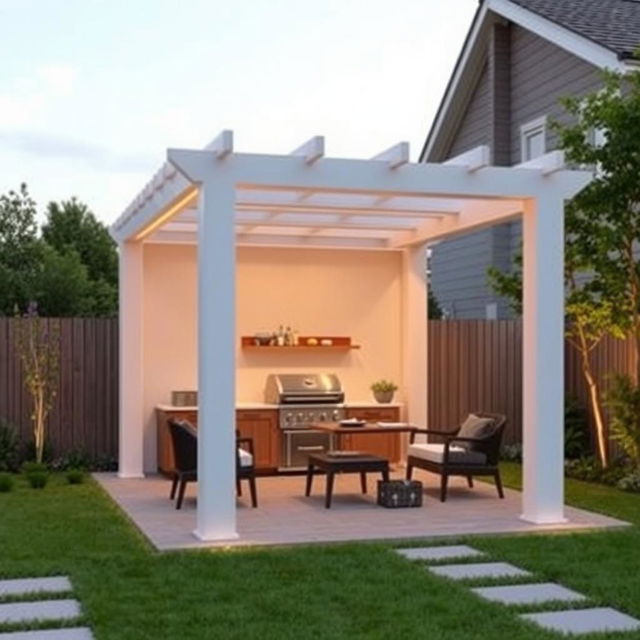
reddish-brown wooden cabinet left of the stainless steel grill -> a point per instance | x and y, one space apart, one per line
259 424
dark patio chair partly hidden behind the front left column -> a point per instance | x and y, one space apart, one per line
184 437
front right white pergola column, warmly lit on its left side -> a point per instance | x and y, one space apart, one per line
543 360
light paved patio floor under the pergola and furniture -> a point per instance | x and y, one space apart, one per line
285 516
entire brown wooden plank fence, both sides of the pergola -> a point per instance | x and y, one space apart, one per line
473 364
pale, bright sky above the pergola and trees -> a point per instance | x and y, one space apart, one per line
93 92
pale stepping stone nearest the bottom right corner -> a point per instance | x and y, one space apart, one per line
584 620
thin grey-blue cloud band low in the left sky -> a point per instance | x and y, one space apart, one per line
100 158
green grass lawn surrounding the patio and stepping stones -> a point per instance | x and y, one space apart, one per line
130 592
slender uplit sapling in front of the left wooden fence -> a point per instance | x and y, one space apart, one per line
38 346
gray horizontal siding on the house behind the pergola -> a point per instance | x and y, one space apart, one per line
541 73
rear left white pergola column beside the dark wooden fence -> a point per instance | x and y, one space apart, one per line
131 426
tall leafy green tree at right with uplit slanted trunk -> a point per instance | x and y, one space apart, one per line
602 222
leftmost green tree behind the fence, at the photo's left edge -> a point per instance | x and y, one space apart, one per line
20 249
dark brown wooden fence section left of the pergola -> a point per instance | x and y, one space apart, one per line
84 416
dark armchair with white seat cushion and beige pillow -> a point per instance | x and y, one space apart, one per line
470 450
